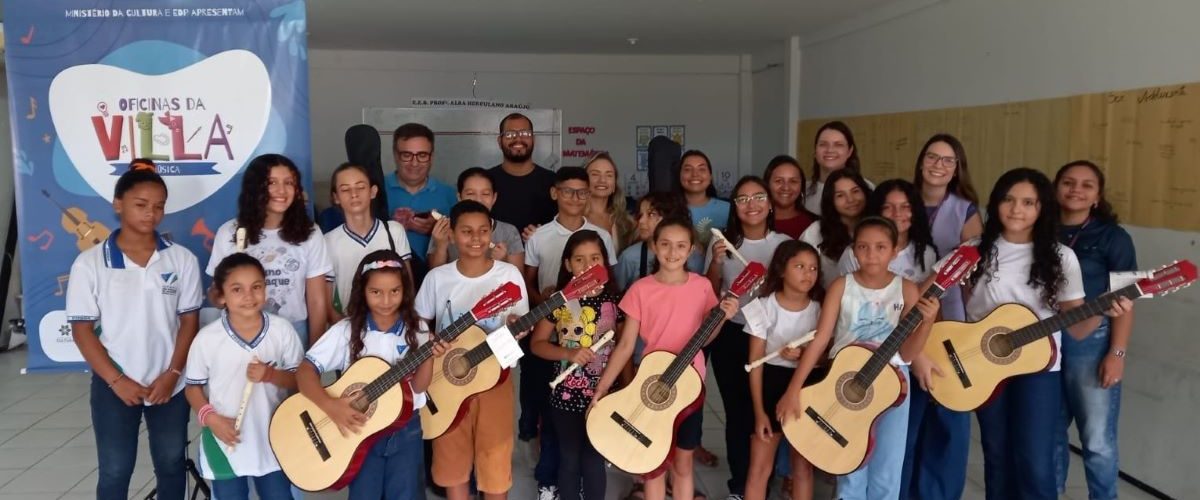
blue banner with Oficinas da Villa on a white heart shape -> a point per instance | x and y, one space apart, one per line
201 91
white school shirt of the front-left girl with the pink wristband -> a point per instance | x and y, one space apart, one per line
218 362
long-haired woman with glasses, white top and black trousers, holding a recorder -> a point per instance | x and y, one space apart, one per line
752 232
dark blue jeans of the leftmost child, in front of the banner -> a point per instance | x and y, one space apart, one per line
117 427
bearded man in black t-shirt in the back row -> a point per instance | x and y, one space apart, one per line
523 188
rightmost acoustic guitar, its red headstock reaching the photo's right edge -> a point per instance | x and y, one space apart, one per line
977 358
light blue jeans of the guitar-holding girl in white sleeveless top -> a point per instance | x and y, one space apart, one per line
880 477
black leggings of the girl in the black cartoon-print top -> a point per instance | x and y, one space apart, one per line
578 457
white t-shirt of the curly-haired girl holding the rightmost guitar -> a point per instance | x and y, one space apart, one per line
1006 280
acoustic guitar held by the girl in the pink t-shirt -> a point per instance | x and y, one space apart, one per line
634 429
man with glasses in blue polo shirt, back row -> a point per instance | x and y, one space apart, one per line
412 194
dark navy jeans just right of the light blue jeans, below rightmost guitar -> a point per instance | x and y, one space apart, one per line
935 466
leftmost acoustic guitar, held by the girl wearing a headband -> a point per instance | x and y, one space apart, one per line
311 450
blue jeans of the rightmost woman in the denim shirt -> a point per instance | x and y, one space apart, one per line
1095 412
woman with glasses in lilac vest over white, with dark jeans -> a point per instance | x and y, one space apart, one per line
939 439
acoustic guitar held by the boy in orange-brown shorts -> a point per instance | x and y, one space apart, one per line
470 368
